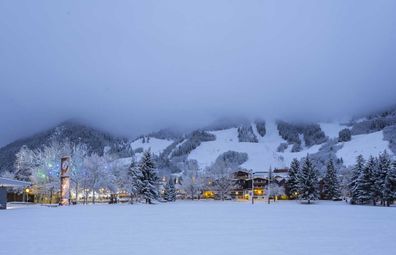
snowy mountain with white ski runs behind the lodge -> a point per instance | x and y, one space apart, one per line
259 145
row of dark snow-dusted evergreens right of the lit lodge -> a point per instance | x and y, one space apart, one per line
371 182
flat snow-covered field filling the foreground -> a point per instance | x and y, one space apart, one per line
204 227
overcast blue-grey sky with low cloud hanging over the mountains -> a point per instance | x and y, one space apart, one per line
134 66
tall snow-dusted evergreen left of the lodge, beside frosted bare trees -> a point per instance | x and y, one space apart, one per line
149 178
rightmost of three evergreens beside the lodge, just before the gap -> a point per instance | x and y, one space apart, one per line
331 187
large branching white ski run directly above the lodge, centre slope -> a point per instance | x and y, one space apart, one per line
262 155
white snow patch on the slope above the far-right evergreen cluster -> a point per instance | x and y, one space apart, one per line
366 144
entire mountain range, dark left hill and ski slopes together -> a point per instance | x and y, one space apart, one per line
240 143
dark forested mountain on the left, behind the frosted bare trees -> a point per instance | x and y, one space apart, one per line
75 132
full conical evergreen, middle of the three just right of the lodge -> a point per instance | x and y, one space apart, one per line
308 181
